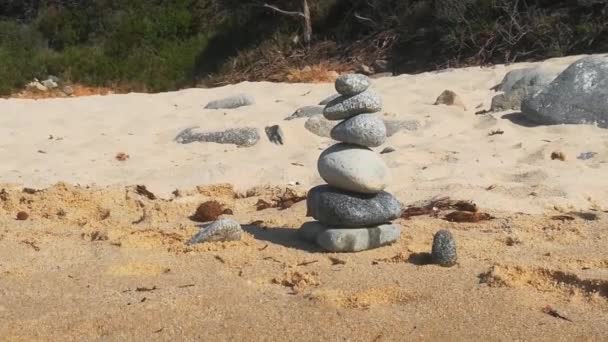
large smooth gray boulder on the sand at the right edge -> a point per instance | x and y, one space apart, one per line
579 95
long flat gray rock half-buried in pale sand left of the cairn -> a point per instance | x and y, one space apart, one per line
246 136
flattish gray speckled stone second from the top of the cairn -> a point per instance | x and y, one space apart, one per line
344 107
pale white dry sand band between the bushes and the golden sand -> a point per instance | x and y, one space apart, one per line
451 154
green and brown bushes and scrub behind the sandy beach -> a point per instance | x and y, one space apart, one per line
157 45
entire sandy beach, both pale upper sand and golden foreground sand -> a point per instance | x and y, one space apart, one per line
96 259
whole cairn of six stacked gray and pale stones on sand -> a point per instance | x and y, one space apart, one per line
352 211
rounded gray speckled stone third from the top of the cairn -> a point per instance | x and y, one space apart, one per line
364 130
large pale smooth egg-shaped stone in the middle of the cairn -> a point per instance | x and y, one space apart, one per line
353 168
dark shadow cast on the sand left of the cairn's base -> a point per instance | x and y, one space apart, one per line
286 237
